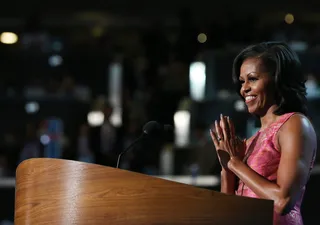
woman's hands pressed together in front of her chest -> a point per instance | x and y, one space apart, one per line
227 144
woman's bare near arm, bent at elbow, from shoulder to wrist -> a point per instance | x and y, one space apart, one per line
297 142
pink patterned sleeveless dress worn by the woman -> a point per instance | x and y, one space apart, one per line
265 159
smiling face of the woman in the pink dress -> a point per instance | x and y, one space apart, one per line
257 86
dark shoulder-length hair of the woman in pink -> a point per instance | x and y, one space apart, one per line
284 65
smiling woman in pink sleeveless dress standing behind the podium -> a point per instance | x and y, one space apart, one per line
276 162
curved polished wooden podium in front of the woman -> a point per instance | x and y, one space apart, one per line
64 192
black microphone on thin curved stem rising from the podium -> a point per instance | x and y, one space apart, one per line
150 129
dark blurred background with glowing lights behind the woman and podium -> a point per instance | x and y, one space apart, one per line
80 79
